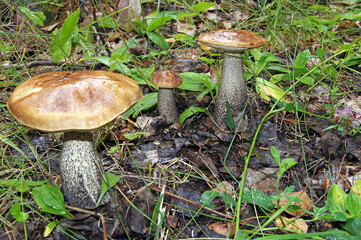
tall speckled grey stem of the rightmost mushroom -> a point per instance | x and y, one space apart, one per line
232 89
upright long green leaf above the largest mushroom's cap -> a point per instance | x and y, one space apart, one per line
60 45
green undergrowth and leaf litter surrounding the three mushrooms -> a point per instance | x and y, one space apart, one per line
308 74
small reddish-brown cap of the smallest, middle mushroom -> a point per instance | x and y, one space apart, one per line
167 79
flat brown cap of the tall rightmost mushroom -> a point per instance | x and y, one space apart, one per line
231 40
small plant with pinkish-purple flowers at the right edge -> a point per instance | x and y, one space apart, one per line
347 119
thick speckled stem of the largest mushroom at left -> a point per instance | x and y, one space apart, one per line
81 178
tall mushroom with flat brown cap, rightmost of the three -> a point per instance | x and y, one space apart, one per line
232 87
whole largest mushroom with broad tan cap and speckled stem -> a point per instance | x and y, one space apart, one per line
75 103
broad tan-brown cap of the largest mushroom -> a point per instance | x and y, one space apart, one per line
65 101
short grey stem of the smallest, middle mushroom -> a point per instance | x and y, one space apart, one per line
166 105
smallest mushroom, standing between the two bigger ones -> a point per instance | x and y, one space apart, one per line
167 80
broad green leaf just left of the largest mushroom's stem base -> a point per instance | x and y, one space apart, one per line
50 200
